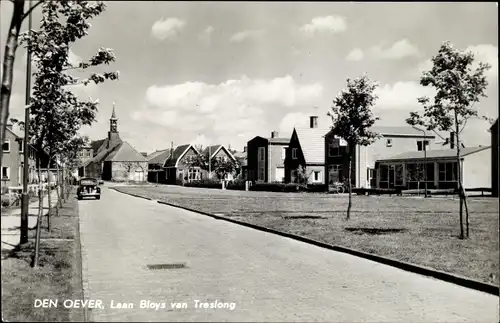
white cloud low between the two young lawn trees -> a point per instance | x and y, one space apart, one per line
401 95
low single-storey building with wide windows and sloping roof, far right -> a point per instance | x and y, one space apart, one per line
403 170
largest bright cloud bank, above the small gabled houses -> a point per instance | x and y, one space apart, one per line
225 110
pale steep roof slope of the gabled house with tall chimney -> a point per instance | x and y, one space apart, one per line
312 143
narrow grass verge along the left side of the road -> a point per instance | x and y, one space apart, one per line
57 277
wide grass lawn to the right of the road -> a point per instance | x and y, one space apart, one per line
411 229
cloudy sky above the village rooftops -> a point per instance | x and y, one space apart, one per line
225 72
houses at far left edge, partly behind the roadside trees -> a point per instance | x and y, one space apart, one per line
13 161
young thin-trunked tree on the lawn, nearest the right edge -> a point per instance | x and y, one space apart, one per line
458 87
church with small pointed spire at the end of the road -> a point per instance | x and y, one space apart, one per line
113 158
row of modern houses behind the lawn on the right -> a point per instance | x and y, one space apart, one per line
403 157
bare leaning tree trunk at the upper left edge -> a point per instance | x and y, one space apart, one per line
8 65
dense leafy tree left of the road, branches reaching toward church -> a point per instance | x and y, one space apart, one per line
56 114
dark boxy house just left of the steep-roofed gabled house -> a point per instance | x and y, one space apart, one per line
266 158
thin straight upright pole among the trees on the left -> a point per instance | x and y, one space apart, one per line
25 195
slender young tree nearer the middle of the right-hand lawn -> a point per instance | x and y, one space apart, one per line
352 118
